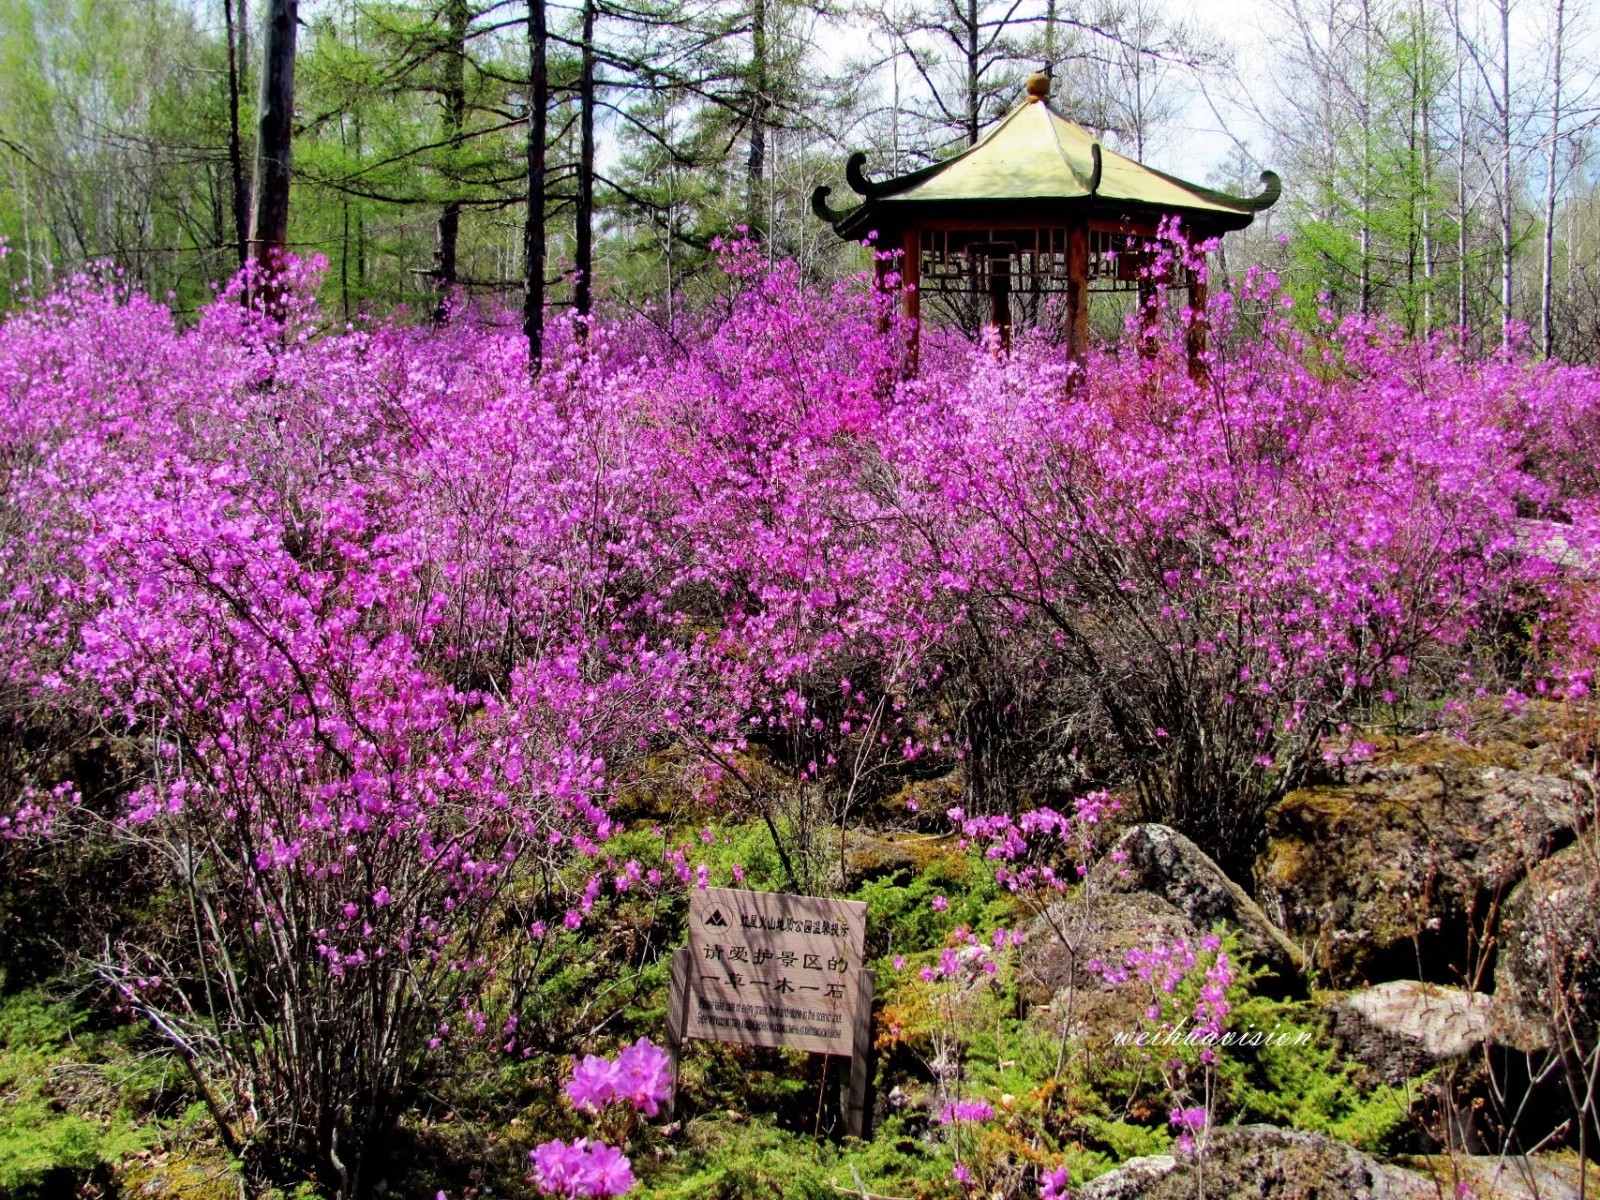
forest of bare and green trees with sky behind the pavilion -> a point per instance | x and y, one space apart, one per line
1441 156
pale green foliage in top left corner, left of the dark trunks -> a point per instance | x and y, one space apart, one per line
113 143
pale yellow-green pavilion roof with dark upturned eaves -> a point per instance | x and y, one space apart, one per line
1036 156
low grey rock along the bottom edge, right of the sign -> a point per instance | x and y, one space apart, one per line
1260 1162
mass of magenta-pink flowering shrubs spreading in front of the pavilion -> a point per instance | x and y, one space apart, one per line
385 628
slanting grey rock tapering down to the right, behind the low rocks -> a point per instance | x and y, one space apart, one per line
1167 865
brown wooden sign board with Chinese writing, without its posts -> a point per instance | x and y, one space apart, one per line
777 970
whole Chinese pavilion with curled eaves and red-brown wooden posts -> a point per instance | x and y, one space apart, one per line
1033 218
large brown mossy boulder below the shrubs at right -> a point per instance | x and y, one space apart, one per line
1383 873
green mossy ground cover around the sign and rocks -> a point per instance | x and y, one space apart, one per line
90 1106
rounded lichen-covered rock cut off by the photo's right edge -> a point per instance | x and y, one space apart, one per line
1548 970
